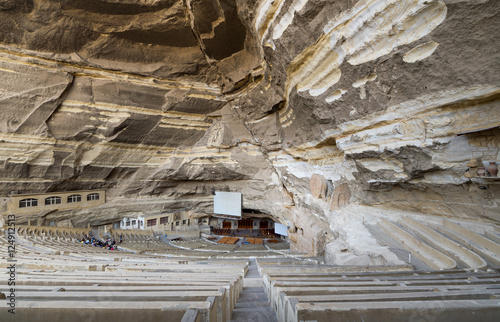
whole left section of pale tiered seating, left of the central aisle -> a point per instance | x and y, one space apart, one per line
54 281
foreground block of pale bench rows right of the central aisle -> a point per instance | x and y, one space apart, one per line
323 293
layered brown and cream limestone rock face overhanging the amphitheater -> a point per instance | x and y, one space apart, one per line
162 101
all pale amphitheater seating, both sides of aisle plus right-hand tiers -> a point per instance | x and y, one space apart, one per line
60 279
